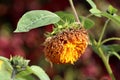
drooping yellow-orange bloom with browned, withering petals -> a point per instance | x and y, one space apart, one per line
67 46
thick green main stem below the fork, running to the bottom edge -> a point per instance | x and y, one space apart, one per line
106 63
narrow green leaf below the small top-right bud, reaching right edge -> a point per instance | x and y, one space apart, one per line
115 19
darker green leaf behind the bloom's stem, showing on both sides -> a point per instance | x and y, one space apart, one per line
65 16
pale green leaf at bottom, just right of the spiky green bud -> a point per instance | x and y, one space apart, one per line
40 73
